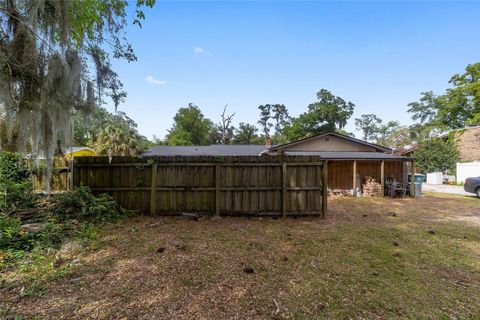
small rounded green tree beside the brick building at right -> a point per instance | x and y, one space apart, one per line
437 155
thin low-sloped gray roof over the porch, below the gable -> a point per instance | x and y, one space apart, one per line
346 155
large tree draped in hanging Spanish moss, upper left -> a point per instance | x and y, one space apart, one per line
47 52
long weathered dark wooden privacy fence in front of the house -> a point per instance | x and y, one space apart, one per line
266 185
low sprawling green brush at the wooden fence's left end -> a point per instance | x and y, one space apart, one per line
75 215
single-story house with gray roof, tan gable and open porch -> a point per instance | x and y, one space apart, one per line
350 160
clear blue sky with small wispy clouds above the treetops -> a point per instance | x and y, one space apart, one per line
379 55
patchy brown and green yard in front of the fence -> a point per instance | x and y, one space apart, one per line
370 259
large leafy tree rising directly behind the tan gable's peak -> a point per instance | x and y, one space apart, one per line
328 114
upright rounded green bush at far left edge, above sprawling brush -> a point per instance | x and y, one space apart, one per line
16 190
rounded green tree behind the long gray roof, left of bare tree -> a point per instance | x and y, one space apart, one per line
190 127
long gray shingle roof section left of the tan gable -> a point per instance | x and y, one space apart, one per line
212 150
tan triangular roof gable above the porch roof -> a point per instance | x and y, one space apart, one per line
330 142
